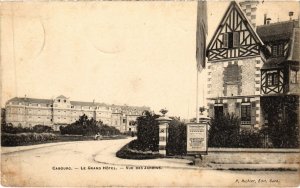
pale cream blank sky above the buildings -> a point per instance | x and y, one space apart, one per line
134 53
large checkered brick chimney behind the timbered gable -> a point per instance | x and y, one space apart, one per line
249 8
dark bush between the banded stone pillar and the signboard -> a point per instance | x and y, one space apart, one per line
177 138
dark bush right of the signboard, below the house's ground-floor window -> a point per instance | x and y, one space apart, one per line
224 131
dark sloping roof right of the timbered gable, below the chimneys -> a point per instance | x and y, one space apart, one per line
277 31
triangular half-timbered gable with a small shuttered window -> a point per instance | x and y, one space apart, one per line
234 38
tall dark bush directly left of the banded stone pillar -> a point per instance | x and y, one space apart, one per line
147 131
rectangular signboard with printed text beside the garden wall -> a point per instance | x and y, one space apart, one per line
197 138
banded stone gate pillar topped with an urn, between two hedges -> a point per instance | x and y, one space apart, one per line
163 134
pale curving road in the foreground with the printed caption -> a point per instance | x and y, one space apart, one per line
93 163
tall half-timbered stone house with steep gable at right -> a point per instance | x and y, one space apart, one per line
253 70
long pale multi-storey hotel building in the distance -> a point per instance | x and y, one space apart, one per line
27 112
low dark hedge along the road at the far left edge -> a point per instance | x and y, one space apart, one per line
21 139
